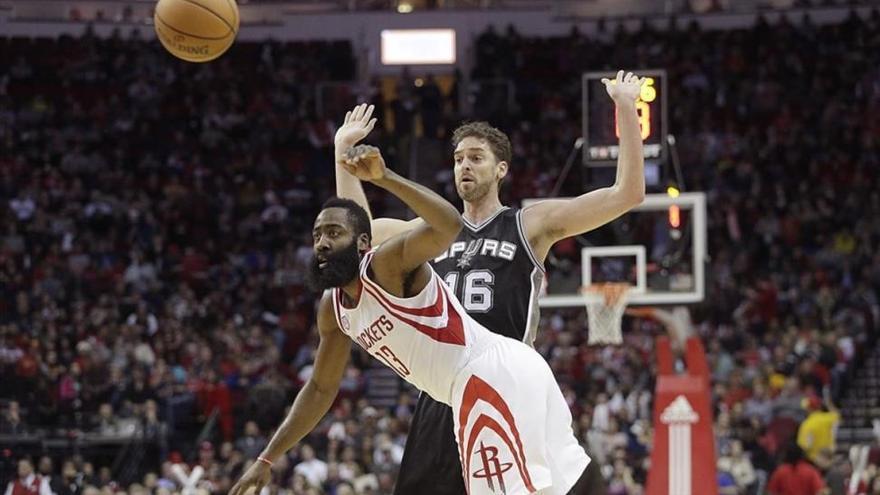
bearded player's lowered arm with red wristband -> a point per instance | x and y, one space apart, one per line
311 404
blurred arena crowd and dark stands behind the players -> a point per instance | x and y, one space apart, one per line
155 219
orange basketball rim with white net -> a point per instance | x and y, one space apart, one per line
605 303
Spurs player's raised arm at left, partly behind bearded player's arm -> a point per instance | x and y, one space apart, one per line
356 126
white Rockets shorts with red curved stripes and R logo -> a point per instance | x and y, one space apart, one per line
513 426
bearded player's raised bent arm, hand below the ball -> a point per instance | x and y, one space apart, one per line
441 222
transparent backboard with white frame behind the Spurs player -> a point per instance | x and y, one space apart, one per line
659 247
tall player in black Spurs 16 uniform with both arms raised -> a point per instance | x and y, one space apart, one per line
495 266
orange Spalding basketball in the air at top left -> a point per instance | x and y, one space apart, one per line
196 30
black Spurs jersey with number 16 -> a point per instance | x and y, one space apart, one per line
497 278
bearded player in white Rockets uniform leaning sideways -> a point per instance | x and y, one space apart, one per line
511 420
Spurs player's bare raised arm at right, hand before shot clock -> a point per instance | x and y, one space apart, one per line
549 221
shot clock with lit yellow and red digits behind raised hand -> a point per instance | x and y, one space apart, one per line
600 118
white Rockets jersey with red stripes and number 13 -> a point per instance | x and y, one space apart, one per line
427 339
